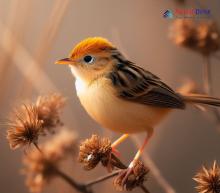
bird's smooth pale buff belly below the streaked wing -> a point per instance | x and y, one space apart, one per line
119 115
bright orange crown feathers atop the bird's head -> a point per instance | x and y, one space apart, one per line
90 45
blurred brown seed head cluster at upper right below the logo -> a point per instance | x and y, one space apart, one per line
203 37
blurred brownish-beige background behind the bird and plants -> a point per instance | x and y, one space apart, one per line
34 34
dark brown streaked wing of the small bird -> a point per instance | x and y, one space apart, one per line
138 85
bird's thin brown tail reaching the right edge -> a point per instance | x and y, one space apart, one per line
201 99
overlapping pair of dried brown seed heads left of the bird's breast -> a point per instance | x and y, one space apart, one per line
32 120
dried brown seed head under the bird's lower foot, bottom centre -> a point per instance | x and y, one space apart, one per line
135 179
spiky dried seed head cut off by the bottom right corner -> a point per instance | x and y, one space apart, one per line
208 180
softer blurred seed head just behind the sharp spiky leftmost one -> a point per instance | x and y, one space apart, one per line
49 108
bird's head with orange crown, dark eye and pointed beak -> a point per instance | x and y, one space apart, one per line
90 58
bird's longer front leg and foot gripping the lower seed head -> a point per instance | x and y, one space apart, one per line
125 174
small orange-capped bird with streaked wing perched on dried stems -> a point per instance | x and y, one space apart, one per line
120 95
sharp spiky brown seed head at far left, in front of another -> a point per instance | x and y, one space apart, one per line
24 127
